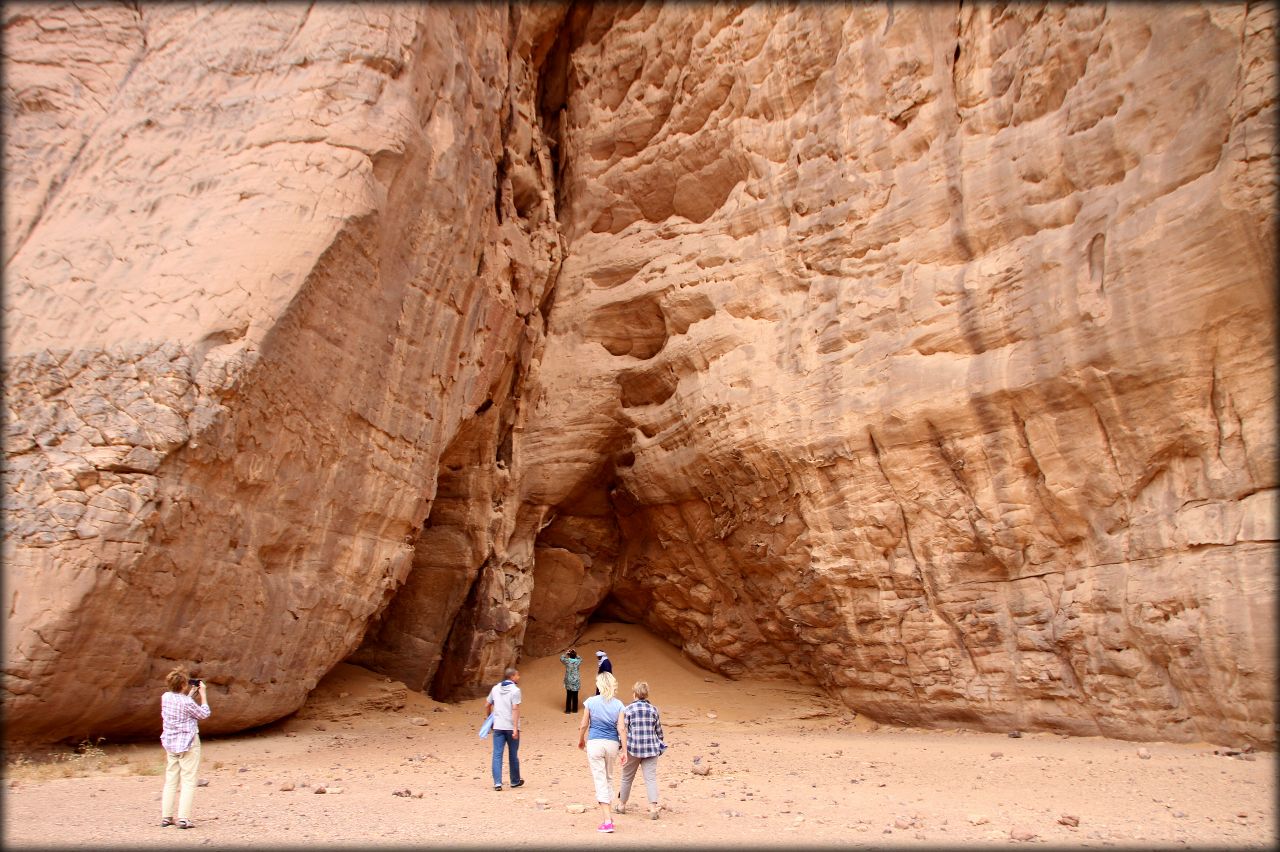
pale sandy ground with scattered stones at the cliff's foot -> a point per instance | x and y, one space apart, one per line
789 768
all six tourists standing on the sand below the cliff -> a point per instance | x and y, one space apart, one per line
611 734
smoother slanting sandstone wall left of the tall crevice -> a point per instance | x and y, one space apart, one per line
263 265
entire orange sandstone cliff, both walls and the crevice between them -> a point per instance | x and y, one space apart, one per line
920 351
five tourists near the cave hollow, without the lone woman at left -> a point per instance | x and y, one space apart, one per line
610 732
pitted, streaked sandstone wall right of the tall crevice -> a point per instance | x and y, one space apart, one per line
929 354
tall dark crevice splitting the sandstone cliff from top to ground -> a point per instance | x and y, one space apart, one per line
458 619
